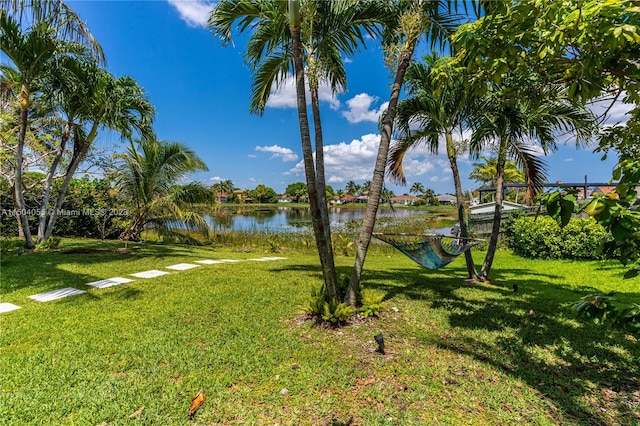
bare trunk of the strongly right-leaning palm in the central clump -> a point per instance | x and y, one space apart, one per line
378 177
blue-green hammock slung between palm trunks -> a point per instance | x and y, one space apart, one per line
431 251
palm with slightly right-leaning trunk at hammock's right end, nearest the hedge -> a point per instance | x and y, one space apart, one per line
510 122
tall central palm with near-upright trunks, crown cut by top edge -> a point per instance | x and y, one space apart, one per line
328 31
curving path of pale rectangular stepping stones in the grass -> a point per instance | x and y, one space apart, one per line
110 282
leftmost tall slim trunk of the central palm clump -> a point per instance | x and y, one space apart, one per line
332 291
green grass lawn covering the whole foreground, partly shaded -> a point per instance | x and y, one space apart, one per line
456 353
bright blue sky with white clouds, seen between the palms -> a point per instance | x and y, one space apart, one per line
201 94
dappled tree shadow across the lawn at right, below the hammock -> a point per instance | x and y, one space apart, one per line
591 374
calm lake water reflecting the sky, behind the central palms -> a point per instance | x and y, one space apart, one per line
289 219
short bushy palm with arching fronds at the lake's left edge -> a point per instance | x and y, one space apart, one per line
148 178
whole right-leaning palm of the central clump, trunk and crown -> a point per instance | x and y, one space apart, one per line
407 23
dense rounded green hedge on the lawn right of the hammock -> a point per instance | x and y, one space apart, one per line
542 238
